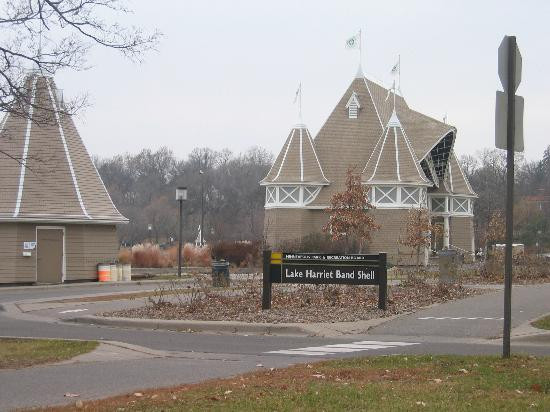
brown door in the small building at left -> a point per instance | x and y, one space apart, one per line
49 255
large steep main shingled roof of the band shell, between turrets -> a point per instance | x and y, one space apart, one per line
344 142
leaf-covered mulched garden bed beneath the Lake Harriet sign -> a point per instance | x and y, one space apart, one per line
299 304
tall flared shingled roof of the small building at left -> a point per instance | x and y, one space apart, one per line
46 173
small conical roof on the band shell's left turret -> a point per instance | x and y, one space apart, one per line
297 162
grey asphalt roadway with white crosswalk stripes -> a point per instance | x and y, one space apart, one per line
191 357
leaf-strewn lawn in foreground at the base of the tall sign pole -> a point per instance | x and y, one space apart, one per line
458 383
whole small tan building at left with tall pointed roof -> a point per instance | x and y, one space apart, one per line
57 221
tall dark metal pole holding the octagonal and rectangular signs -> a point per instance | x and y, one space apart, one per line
510 142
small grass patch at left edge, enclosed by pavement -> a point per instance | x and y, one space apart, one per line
21 353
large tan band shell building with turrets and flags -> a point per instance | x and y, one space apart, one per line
406 158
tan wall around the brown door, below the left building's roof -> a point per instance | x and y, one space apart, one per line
85 247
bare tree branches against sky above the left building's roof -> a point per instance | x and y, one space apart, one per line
48 35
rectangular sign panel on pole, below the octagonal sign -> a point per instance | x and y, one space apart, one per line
501 122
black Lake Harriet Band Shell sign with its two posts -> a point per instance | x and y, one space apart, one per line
318 268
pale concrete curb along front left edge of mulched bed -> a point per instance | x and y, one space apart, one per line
232 327
